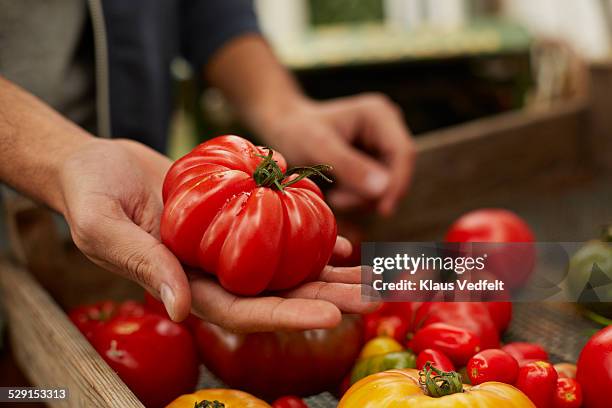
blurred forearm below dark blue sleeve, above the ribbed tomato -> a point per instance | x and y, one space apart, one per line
254 81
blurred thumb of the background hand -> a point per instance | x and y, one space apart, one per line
355 170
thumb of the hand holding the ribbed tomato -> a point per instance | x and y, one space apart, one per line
123 247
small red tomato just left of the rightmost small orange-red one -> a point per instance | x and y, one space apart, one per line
538 380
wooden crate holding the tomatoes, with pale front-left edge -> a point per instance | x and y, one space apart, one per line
520 154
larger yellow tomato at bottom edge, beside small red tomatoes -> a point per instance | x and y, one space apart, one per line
401 389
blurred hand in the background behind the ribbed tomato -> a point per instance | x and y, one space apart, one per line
362 137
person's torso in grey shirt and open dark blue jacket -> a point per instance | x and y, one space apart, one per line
48 49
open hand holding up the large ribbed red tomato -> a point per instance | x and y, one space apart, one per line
111 192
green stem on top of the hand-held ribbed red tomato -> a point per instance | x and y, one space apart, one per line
269 174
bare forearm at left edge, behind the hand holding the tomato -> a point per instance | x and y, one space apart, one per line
34 142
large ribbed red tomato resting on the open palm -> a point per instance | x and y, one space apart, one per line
232 209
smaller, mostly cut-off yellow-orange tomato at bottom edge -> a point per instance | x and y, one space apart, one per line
230 399
